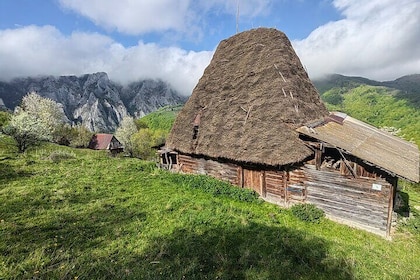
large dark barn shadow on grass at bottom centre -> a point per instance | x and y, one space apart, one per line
254 251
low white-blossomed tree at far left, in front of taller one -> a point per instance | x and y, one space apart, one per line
26 130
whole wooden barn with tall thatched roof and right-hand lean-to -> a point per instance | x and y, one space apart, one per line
256 120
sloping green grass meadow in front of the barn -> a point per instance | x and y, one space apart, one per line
80 214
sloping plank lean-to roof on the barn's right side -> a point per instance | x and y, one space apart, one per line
368 143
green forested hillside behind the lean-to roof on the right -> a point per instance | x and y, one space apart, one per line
393 105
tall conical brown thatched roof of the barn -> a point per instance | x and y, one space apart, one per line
248 103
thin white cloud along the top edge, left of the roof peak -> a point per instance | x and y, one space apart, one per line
136 17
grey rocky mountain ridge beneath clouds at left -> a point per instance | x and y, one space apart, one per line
93 99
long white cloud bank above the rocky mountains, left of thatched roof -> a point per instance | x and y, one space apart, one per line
33 50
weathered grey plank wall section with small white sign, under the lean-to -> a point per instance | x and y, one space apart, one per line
351 200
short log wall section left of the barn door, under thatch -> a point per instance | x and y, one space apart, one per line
223 171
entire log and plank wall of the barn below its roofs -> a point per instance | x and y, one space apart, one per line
365 203
